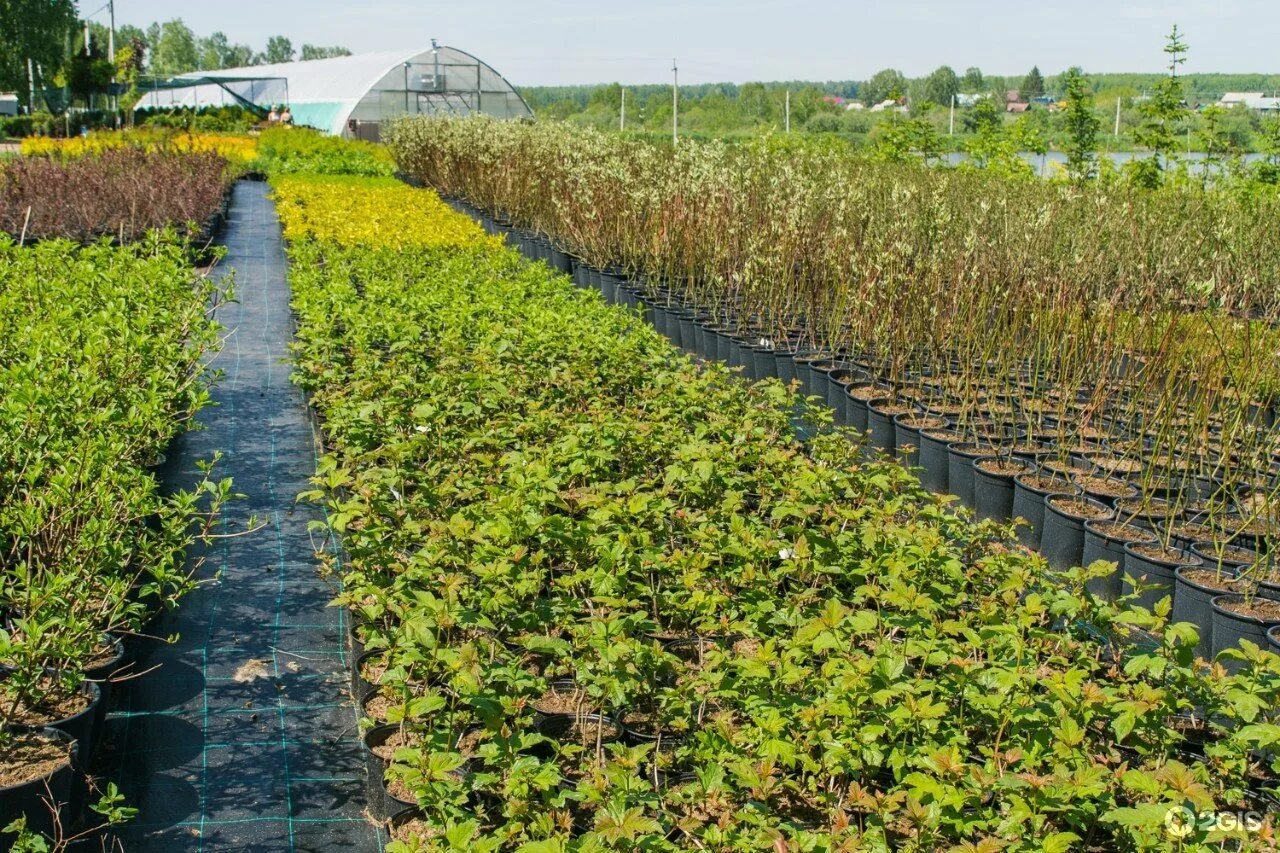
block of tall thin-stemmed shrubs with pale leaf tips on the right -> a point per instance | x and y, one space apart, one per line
1078 320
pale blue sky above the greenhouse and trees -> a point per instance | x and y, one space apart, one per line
543 43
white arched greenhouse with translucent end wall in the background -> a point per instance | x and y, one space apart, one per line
353 95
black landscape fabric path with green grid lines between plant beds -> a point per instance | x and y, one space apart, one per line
244 737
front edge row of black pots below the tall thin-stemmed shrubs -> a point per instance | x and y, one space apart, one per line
1076 512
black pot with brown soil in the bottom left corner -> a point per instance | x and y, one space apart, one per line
36 765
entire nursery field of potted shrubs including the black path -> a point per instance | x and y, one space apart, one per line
630 500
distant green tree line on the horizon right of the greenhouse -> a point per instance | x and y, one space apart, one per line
922 110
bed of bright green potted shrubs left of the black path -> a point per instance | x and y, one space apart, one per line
102 354
